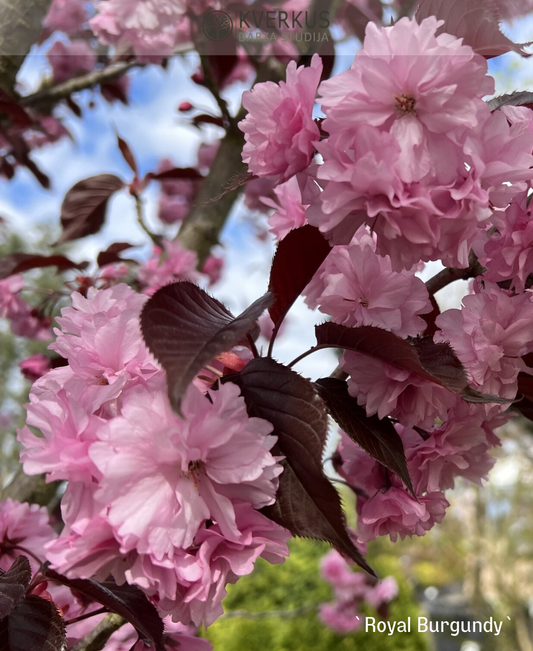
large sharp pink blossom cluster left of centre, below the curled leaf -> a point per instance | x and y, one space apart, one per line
167 503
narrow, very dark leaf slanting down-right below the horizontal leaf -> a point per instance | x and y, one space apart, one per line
375 436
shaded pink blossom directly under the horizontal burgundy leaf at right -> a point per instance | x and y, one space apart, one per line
387 390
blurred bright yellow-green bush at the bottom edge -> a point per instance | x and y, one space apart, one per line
295 585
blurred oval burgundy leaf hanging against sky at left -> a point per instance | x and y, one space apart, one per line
84 207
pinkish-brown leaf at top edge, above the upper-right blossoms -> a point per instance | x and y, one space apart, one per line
477 22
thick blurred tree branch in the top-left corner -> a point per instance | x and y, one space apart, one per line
20 25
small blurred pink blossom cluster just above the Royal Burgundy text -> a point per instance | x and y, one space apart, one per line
351 589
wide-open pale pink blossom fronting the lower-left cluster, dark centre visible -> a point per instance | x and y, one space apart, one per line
138 449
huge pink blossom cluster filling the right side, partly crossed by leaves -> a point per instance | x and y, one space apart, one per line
409 165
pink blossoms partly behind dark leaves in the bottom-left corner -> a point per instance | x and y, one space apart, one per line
26 530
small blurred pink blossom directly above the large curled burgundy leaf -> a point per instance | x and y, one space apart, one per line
171 264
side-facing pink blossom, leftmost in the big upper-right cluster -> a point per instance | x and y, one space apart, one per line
279 129
